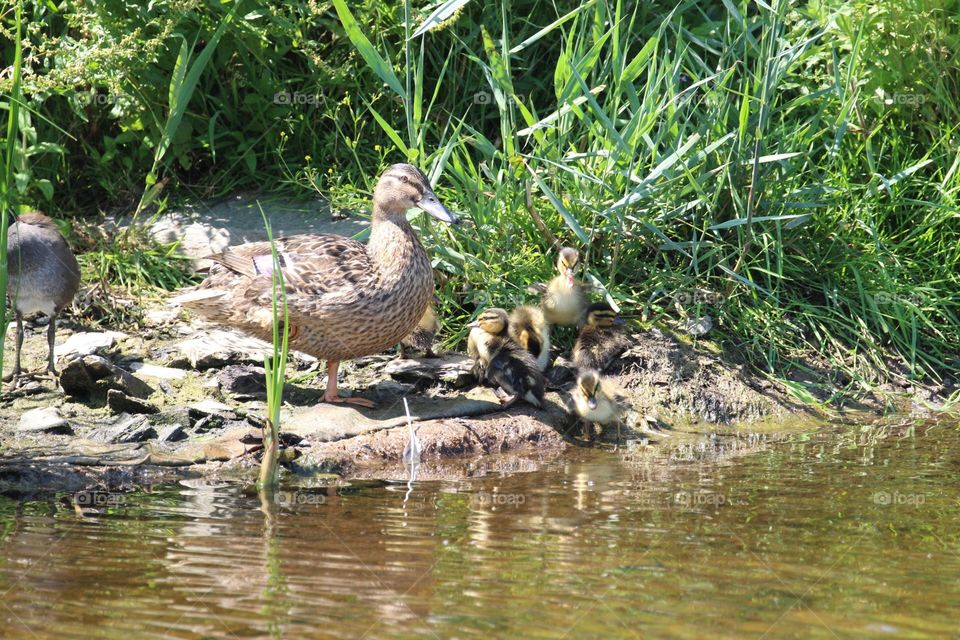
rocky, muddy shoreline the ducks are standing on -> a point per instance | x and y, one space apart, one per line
169 398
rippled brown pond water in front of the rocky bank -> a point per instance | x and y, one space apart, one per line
846 532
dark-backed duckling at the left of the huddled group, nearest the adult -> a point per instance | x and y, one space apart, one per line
501 361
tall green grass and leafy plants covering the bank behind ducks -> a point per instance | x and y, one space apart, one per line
790 169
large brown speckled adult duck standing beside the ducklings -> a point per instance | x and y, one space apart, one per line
344 299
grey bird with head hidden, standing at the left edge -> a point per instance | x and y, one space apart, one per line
42 277
